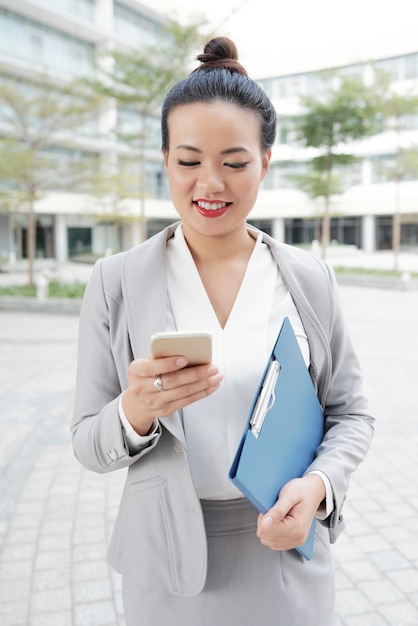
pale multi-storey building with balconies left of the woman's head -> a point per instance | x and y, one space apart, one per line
62 39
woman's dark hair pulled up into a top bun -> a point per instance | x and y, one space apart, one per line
220 76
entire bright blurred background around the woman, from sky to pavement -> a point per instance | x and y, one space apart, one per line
81 176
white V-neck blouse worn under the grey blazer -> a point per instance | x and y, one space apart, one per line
213 426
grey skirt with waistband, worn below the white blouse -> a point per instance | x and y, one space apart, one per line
247 583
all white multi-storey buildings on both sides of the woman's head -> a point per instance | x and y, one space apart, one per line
64 37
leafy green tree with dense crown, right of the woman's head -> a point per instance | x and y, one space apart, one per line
346 112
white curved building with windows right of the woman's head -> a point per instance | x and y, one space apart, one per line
362 215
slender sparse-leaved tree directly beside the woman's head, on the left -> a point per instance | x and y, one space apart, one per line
138 80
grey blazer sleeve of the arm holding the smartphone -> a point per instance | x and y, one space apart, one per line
104 353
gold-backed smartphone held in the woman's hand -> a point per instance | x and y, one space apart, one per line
195 346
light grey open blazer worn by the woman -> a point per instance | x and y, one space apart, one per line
159 536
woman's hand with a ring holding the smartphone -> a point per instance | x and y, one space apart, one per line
142 401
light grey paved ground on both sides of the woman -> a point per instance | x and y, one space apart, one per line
55 517
